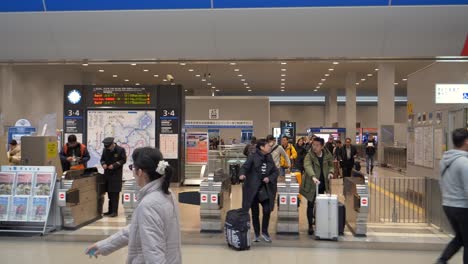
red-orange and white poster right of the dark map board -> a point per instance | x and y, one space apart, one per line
197 147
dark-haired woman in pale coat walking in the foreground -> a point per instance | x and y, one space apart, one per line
153 235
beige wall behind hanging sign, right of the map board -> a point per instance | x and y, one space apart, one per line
256 109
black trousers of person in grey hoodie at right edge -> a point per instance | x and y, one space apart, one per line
458 218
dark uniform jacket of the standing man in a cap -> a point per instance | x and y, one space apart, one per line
117 158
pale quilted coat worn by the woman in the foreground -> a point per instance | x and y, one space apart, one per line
153 235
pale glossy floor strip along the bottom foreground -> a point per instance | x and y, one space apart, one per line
39 252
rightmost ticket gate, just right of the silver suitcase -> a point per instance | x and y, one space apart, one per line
357 204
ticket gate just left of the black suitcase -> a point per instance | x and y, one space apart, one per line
214 203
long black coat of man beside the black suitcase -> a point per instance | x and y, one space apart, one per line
252 169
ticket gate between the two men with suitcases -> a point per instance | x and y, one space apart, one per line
288 206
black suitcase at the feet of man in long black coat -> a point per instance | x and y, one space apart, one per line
237 229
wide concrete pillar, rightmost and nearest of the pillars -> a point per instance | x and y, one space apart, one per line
386 104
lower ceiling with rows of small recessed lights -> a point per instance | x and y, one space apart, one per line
262 77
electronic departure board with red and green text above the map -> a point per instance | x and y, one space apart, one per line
121 97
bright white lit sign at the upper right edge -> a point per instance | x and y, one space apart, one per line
451 94
